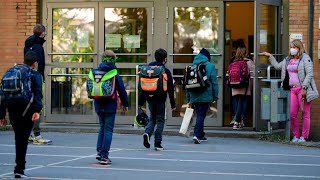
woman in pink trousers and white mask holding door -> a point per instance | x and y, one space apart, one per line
297 75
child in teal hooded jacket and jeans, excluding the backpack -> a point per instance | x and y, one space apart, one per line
202 98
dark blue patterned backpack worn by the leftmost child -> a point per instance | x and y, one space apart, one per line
16 87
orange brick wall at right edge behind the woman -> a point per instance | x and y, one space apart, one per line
298 23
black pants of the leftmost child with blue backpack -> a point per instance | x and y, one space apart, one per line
22 127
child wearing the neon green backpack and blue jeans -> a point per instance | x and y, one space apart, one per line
106 103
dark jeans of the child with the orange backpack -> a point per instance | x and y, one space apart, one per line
157 112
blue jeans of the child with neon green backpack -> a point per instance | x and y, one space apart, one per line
106 121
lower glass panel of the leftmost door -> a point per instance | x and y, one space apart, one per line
68 93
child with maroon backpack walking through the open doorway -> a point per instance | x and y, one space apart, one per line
239 81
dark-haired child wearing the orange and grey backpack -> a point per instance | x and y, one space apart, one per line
157 100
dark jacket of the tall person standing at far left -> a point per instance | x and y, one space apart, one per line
36 44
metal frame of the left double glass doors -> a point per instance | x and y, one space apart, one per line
48 6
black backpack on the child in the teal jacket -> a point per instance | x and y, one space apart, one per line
195 77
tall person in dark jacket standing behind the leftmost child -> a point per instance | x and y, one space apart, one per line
35 43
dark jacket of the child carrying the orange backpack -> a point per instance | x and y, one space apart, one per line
162 97
